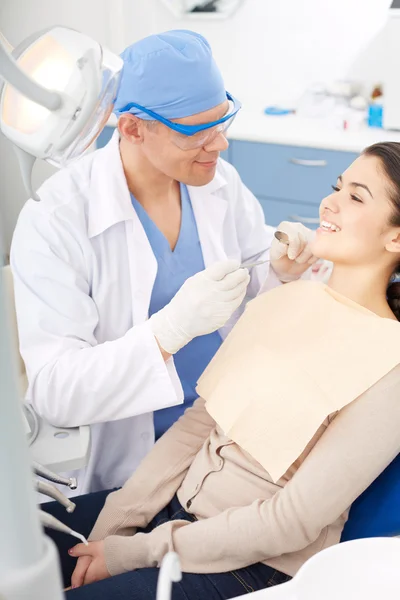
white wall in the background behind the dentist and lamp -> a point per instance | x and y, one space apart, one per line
269 51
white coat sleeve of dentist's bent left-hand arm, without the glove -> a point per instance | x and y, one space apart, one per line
73 378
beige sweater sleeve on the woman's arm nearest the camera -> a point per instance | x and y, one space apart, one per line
356 447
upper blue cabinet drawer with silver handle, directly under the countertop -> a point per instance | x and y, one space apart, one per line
288 172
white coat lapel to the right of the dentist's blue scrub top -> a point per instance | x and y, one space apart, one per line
209 209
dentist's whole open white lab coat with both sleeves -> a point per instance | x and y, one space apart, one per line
84 272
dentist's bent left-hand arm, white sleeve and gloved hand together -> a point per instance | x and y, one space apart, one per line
73 378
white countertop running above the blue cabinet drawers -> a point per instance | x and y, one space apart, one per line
290 130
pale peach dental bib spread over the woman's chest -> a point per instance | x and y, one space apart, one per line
298 354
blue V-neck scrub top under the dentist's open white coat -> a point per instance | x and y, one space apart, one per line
174 267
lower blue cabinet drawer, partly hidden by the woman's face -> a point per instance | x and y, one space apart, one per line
277 210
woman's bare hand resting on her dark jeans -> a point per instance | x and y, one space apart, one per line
91 565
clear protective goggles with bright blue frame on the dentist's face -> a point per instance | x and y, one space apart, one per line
189 137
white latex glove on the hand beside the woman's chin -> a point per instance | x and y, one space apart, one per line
290 262
